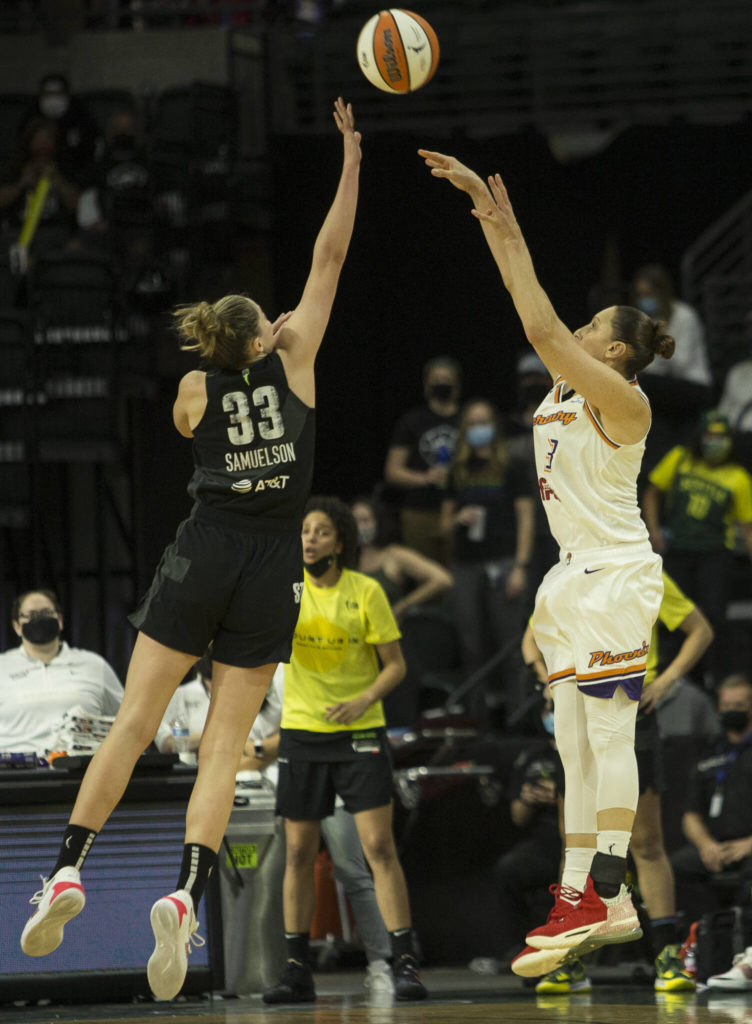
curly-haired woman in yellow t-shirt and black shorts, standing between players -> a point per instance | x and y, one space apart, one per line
346 658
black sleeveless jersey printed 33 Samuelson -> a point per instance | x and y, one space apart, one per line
254 449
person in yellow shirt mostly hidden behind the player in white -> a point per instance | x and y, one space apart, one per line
647 846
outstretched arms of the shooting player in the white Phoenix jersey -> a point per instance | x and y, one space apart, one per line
606 390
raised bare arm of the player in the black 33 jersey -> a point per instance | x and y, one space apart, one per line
302 335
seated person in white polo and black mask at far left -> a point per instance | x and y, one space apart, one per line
44 678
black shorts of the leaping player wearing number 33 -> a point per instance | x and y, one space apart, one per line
235 587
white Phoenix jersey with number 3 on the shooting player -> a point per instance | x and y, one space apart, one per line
588 482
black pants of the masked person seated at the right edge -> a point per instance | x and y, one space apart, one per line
696 893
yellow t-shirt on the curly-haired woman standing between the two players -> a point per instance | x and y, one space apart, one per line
335 652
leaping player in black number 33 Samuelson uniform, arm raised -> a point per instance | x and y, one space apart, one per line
232 578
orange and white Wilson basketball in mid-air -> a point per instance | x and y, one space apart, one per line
398 51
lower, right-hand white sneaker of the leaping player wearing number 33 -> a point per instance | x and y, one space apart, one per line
175 927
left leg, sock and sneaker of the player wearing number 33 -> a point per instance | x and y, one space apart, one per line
154 674
